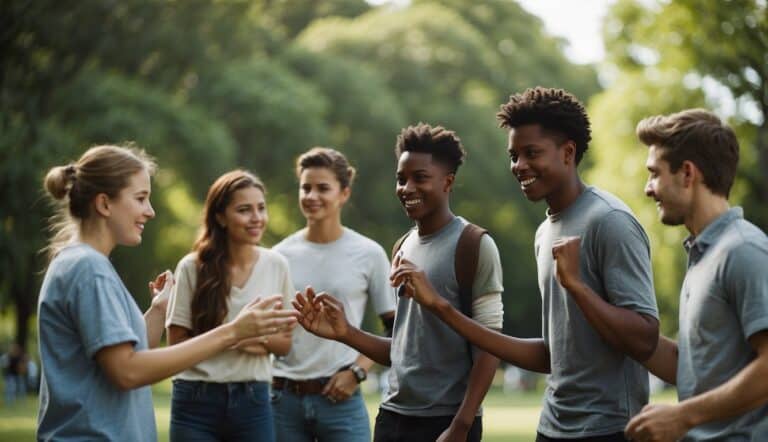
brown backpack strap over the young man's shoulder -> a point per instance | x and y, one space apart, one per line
465 263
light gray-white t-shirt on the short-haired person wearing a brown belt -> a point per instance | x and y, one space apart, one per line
353 269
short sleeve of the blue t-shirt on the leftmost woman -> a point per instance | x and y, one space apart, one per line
100 310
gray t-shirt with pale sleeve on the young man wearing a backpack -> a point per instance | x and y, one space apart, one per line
430 361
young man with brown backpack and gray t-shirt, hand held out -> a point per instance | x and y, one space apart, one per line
437 381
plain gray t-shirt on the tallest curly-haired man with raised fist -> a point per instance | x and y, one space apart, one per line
593 389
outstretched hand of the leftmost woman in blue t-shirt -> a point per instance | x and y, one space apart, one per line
264 316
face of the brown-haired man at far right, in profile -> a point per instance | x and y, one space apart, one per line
667 188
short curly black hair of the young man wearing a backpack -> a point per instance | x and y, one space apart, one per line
444 145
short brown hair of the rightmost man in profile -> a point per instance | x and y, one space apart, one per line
699 136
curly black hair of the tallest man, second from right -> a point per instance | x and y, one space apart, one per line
555 110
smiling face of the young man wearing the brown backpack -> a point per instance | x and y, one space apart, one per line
423 185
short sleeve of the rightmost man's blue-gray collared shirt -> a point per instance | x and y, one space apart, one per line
746 283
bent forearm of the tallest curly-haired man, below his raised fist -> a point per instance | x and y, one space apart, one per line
625 330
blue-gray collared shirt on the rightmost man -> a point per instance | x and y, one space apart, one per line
723 301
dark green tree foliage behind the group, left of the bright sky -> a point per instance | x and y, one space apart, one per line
209 86
